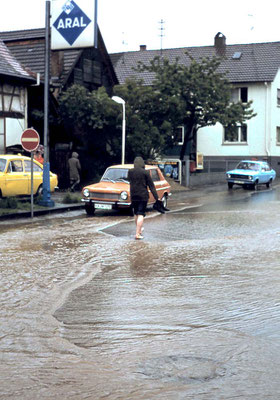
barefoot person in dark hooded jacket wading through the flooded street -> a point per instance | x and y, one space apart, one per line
140 180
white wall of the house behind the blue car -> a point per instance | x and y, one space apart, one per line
261 136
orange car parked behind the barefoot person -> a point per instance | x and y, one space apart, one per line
113 190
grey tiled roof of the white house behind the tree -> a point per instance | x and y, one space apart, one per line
259 62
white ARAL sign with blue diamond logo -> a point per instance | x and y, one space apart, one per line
72 24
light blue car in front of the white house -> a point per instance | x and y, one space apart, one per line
250 174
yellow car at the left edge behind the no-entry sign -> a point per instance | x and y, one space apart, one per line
15 176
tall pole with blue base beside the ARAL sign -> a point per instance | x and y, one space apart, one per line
47 202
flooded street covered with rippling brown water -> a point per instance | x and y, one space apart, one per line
190 312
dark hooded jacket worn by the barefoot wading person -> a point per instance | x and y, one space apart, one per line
140 180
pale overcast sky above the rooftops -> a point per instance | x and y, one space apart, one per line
127 24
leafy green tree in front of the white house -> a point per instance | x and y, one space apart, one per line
195 96
